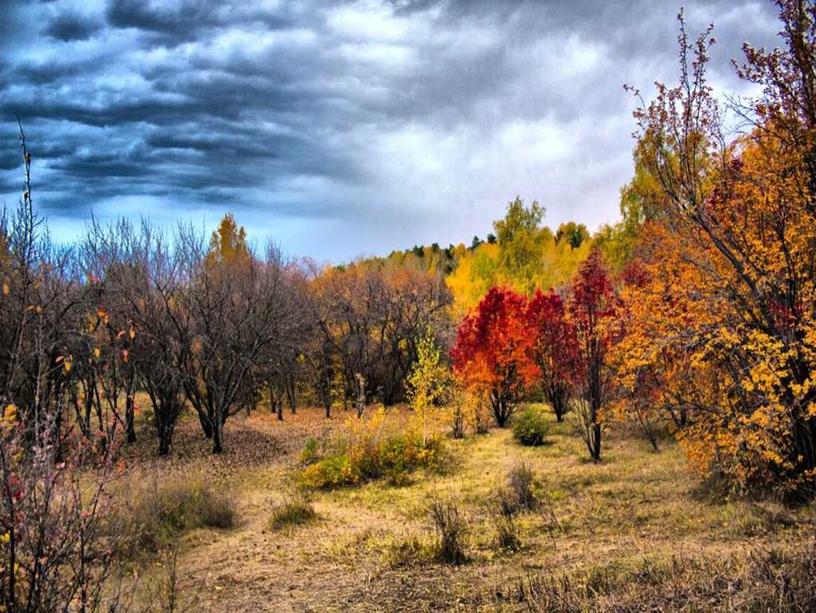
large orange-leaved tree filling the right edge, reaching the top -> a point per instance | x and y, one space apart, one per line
743 215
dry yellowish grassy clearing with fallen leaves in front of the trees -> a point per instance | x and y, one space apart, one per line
633 532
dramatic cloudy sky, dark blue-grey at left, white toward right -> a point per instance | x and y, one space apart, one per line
338 129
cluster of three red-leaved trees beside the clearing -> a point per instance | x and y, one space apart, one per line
509 346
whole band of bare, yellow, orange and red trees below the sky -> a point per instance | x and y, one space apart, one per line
695 313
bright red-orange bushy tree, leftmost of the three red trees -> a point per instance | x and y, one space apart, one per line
491 353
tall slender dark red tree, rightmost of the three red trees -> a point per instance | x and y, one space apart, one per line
593 309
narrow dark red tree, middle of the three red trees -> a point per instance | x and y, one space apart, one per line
553 350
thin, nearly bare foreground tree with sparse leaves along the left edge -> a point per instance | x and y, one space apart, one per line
55 555
